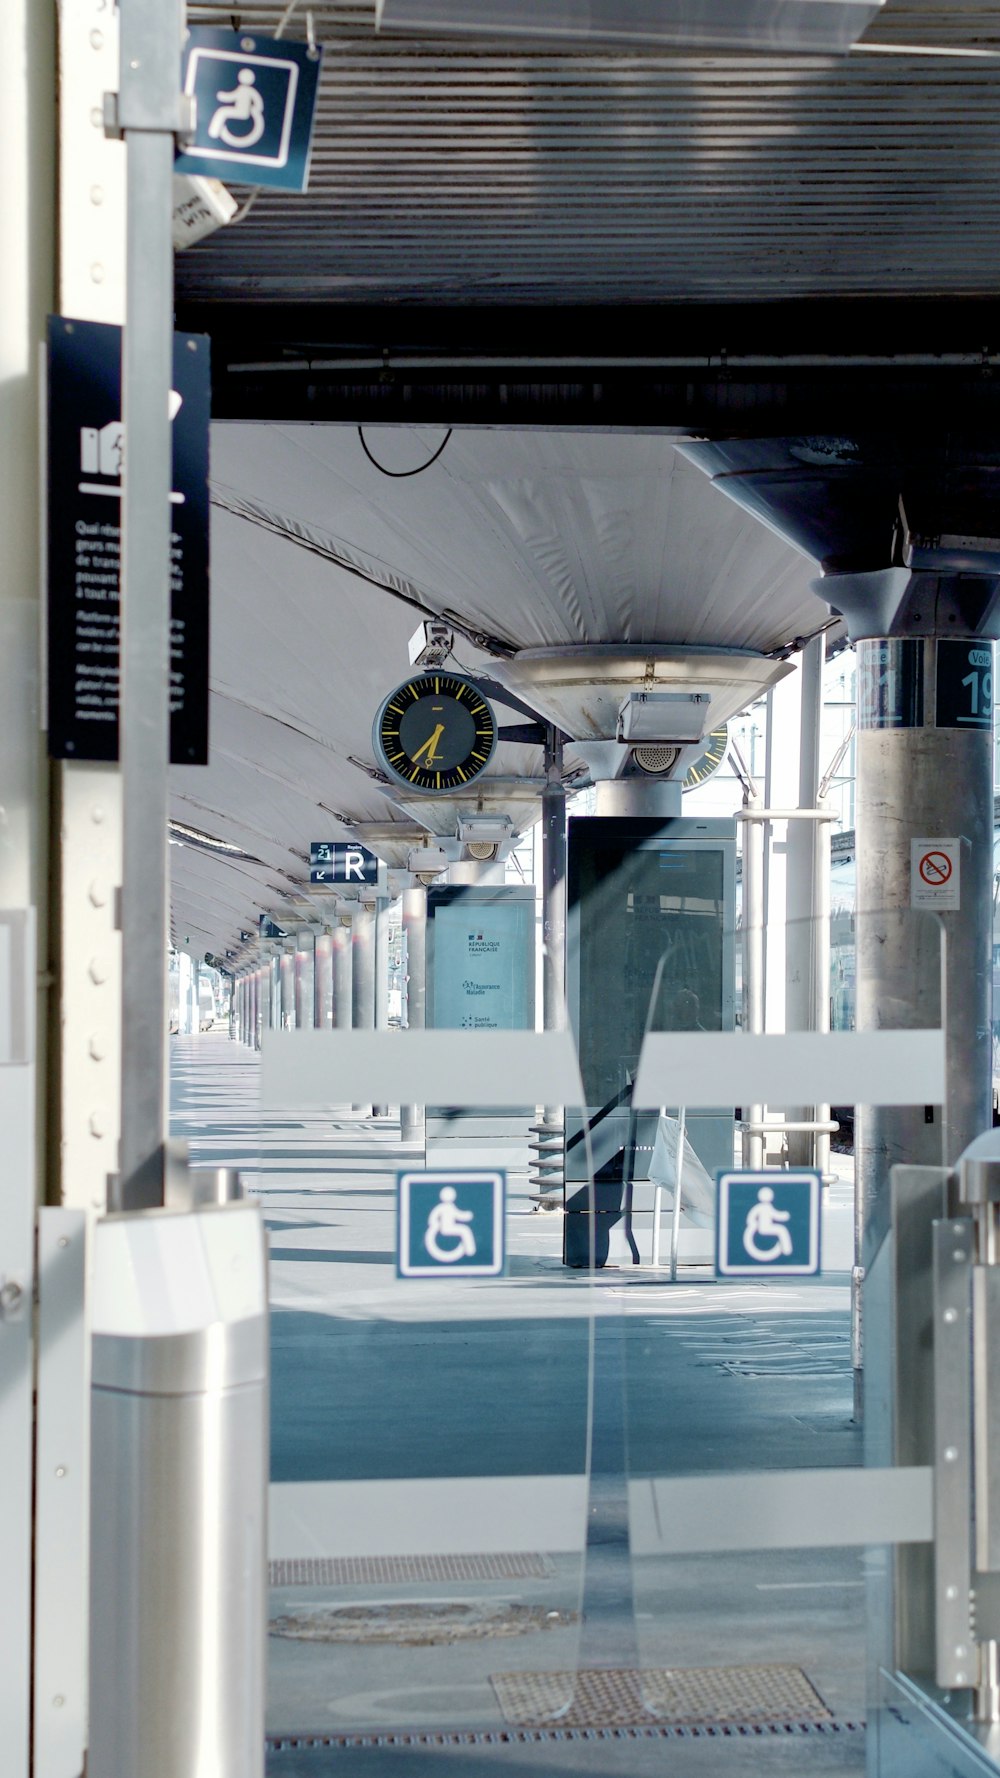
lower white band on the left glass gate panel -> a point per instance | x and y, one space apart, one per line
449 1516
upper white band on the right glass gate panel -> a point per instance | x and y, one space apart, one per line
704 1069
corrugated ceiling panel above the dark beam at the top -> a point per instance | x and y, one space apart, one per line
448 172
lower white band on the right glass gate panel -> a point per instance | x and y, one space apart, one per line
787 1509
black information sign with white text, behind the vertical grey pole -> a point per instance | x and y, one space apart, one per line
86 447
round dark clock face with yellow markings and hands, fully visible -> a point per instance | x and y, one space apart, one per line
435 733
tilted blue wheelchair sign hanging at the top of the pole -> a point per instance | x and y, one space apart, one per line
254 108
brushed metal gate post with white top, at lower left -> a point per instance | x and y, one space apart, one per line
179 1477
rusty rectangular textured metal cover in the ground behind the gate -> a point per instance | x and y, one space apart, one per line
620 1697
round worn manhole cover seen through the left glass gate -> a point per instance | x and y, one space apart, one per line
415 1624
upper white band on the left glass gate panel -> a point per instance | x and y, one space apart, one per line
504 1069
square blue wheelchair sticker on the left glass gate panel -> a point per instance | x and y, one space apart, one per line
451 1226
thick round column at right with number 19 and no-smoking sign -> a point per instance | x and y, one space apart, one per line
924 760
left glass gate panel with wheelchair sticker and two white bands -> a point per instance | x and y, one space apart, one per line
430 1422
